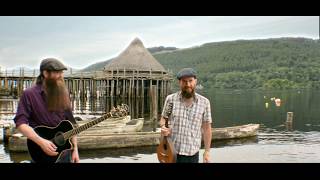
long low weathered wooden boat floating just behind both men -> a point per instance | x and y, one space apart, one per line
18 143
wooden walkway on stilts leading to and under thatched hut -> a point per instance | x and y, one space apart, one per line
112 84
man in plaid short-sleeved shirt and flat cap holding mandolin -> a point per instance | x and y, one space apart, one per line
189 121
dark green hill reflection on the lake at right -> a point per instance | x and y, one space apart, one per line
243 107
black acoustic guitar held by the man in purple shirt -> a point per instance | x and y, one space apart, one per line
61 135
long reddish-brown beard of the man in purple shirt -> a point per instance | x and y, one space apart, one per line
57 95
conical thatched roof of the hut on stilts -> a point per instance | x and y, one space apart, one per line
135 57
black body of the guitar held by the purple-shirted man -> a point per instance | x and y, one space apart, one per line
55 134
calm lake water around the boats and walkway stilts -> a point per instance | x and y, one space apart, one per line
275 141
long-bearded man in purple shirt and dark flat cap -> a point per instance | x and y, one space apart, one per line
46 103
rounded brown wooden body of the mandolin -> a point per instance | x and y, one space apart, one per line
165 151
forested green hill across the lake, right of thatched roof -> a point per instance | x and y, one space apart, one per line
280 63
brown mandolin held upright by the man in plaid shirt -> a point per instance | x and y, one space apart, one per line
165 151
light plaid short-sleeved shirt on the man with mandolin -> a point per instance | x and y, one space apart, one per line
186 122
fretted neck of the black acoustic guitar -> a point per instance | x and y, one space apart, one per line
73 132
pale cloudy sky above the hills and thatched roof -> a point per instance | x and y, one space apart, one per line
79 41
